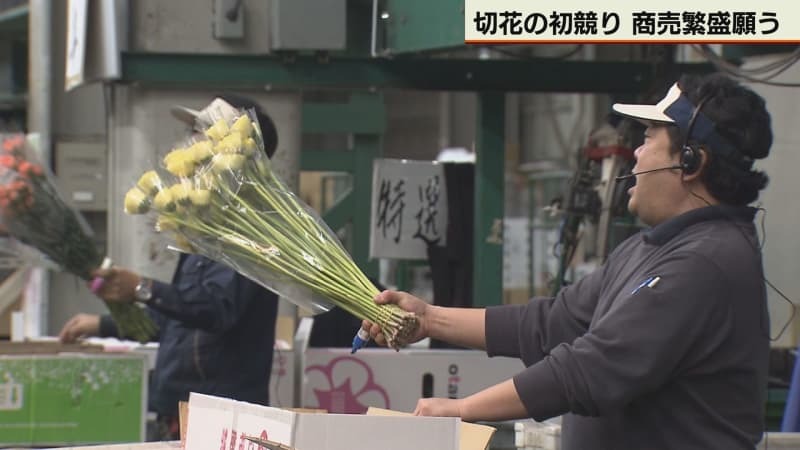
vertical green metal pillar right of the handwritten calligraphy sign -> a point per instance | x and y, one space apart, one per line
487 281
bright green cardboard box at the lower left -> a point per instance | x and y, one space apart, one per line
71 398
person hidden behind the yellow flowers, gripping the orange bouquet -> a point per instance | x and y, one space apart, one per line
216 326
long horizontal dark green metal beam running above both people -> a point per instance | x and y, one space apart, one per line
256 71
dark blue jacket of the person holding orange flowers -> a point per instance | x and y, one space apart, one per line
216 335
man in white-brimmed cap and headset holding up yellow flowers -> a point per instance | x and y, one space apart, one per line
666 345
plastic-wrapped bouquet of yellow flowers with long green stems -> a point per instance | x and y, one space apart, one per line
218 196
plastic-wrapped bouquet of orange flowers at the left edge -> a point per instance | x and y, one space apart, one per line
34 214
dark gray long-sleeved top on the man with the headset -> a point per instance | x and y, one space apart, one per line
679 363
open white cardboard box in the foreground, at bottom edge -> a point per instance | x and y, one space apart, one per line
215 423
